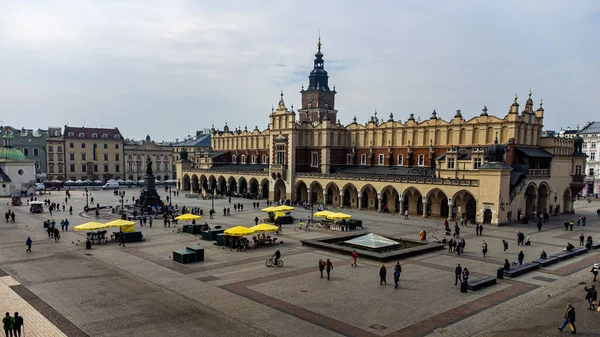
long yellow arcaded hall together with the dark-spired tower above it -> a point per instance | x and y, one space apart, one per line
490 169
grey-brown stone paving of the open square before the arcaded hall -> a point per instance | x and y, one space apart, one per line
64 290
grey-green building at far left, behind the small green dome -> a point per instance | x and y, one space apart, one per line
33 145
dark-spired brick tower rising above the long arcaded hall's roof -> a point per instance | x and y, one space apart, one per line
318 101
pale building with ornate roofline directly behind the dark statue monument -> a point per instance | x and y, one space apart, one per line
161 155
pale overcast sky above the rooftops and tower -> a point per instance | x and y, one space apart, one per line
167 68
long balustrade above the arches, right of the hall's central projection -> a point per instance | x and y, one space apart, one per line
400 179
